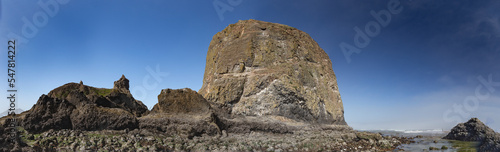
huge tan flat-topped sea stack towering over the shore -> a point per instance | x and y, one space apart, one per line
263 69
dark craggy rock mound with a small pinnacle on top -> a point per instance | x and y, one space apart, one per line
81 107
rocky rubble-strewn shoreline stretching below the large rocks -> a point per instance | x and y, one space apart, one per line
340 139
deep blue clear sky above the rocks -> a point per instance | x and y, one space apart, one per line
420 71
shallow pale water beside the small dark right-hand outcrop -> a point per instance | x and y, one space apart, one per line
427 138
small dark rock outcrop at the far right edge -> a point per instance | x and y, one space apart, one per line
475 130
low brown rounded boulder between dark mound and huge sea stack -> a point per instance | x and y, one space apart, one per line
181 112
